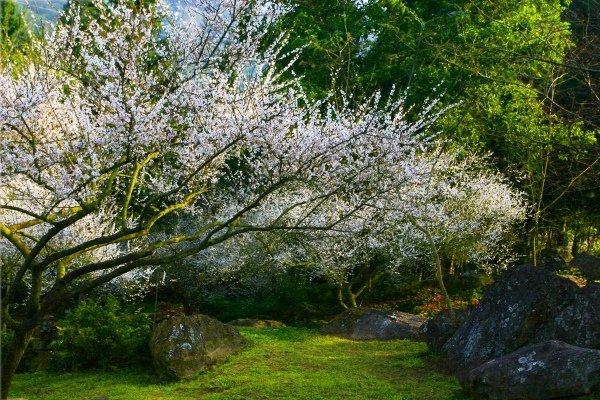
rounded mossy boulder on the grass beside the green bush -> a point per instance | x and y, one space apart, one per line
182 346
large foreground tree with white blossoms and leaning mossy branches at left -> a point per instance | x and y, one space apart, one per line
140 117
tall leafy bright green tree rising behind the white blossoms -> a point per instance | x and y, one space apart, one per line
502 63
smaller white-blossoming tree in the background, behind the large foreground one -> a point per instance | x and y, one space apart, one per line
429 207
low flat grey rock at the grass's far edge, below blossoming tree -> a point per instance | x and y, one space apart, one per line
372 324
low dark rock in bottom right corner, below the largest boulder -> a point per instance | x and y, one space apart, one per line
545 370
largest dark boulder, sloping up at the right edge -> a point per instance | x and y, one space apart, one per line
525 306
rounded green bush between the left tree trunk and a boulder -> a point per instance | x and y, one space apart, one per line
102 334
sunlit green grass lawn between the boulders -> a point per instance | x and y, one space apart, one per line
279 363
